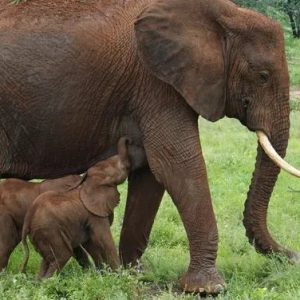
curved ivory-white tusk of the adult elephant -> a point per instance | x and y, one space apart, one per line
274 156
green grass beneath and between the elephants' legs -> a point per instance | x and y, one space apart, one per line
229 151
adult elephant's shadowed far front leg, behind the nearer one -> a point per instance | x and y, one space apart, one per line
143 200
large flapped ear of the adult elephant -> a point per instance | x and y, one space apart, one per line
182 44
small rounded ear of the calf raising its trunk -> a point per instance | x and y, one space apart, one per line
99 199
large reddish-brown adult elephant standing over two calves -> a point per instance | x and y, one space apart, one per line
75 76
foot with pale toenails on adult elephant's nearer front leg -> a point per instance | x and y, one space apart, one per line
207 282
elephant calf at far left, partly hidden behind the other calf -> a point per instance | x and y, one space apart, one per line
16 196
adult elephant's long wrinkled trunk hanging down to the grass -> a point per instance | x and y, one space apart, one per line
262 184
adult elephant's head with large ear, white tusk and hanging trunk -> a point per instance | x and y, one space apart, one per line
226 61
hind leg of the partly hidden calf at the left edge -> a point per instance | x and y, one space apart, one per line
9 239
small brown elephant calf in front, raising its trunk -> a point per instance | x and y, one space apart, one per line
58 223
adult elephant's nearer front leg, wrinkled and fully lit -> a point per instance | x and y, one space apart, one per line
175 158
